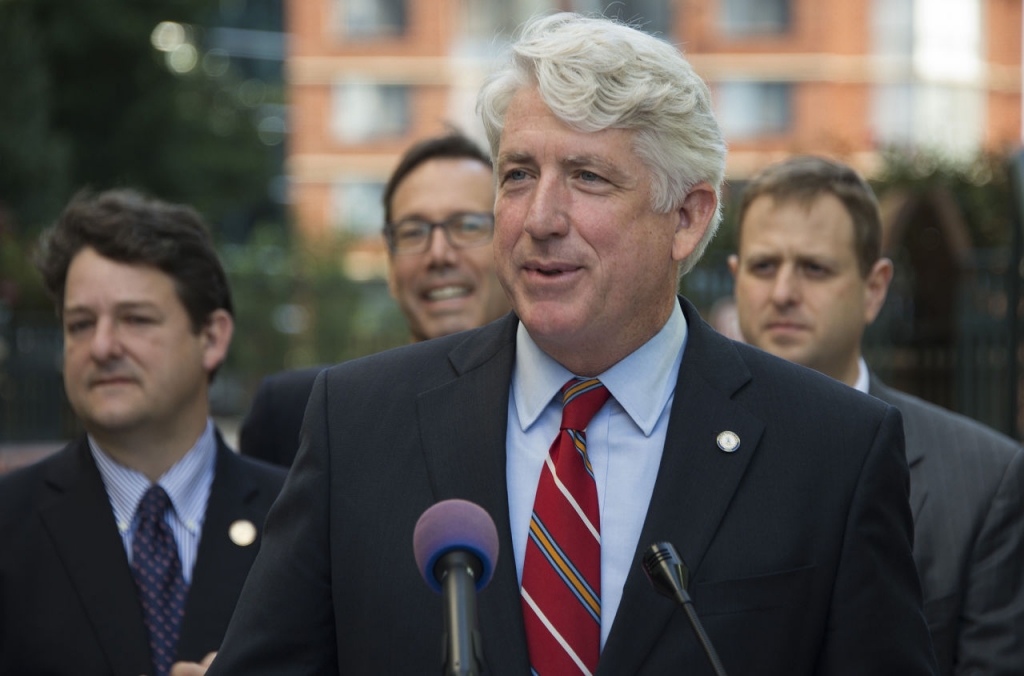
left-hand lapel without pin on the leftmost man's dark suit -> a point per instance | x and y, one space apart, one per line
80 522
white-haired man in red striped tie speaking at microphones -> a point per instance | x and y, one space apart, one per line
609 165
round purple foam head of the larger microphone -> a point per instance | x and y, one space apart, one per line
455 526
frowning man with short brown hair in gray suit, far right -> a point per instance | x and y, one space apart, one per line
809 279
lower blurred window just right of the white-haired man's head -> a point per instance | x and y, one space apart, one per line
749 110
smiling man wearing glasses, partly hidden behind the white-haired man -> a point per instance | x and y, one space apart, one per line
439 212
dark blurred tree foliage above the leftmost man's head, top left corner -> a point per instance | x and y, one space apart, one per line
89 102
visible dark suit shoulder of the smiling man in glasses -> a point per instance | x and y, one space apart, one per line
271 432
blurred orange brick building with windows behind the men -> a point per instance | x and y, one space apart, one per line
366 78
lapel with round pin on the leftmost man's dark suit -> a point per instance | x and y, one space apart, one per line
222 565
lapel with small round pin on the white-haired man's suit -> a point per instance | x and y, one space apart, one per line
696 484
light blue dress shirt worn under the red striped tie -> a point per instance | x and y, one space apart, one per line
625 442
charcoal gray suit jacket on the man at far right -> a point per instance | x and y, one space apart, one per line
967 495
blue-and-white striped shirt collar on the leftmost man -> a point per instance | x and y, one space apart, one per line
184 482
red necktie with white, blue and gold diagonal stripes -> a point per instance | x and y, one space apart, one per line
562 575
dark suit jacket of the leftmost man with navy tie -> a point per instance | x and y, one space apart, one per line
68 601
